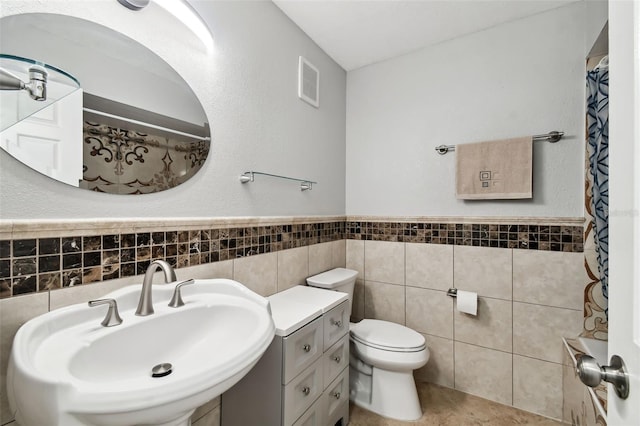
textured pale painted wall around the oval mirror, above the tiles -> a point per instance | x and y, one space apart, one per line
248 87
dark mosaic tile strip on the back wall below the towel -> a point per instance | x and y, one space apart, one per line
521 236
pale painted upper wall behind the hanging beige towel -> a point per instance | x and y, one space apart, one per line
521 78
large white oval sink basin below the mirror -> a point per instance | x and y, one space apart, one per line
67 369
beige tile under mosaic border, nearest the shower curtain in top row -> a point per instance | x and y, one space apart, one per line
549 278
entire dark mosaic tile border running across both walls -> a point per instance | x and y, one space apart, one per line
47 260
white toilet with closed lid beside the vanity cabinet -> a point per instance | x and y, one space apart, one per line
383 357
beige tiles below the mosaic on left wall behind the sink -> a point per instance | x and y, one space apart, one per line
265 274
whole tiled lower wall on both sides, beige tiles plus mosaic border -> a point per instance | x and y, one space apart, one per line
530 278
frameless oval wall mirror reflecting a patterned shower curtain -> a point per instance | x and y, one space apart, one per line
133 126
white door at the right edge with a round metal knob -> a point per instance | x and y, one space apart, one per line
624 204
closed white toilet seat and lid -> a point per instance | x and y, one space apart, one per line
387 336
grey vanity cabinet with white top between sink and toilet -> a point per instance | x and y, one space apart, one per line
303 378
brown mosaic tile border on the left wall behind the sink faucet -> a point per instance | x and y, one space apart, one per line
39 264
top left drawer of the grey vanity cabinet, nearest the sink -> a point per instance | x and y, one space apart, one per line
301 349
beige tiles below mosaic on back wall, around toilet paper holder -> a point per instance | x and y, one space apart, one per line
511 352
